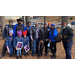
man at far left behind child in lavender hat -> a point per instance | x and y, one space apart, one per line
5 34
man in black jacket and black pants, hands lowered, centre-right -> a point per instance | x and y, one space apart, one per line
43 37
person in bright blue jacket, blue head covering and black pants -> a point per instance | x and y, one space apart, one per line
52 34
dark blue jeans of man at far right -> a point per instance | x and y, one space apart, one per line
68 47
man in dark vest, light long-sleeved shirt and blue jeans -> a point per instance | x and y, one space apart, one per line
34 35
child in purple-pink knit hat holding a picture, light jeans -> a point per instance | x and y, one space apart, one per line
17 39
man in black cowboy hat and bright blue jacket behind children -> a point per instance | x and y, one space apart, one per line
18 27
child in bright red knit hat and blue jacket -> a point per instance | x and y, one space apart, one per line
25 42
